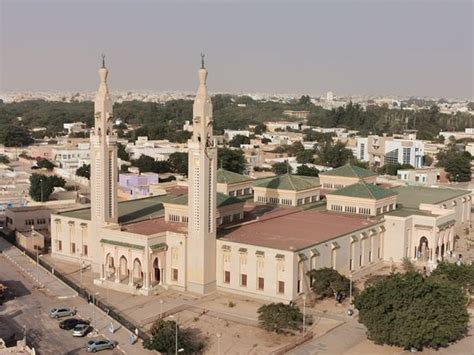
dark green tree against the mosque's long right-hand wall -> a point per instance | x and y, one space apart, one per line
326 282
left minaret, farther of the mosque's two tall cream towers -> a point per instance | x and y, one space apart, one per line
103 157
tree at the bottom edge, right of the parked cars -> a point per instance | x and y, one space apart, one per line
163 338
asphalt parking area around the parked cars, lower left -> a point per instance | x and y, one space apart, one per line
29 310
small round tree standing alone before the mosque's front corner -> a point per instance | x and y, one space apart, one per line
279 317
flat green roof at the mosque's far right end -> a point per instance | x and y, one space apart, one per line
412 196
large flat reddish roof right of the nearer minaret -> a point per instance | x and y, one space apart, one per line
296 231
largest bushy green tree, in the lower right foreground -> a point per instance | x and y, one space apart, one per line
408 310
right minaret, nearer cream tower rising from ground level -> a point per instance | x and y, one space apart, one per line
201 263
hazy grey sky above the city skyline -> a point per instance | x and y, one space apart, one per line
351 47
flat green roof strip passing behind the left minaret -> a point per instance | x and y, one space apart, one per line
129 211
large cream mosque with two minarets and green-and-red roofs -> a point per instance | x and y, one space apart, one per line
206 238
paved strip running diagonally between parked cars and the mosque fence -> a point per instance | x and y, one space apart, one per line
58 289
